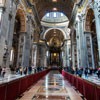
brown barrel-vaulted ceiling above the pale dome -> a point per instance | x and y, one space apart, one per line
45 6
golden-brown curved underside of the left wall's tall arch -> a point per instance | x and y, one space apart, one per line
21 15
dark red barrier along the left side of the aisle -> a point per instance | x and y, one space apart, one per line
12 89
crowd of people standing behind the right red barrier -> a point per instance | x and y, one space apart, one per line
86 71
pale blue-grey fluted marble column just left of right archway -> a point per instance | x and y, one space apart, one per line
81 57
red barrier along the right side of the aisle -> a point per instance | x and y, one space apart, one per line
90 90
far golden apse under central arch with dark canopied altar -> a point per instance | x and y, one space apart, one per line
54 40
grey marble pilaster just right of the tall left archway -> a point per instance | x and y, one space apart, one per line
27 44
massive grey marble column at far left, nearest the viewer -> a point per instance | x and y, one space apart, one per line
6 35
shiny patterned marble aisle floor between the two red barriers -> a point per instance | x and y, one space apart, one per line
51 87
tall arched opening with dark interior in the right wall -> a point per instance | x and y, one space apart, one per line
90 27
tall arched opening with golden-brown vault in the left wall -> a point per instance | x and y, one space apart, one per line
18 39
